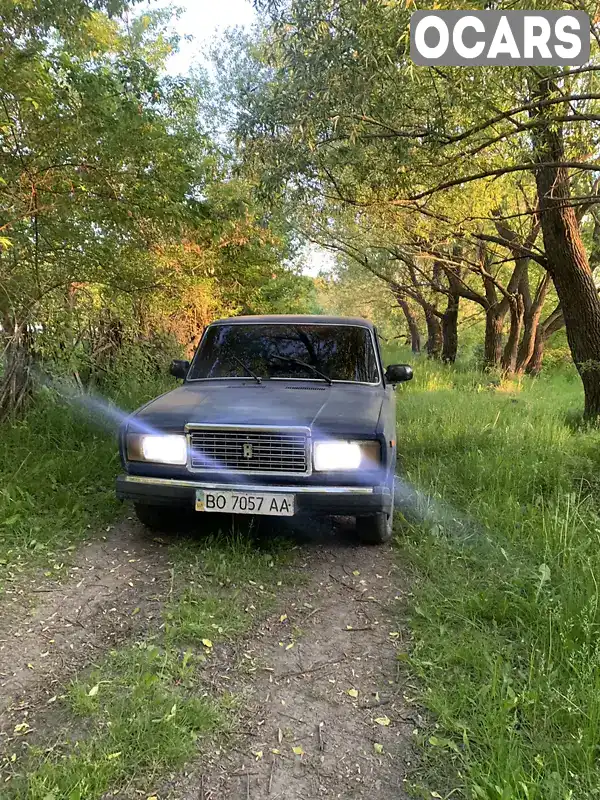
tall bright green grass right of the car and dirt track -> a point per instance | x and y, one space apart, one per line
504 537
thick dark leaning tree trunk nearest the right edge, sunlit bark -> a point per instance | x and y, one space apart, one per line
567 259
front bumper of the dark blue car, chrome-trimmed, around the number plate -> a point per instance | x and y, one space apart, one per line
325 500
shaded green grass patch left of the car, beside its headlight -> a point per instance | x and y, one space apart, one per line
57 470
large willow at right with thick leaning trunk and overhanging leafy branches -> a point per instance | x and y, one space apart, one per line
340 110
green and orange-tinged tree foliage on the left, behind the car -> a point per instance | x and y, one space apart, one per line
123 221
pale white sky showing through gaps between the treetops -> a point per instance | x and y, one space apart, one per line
200 21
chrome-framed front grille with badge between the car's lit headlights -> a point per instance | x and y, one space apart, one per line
215 450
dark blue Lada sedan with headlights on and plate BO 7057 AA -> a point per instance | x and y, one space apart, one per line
277 415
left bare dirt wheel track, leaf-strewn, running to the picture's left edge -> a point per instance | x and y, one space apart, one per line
49 630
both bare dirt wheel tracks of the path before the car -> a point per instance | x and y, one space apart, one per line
306 733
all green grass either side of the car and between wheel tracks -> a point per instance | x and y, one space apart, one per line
502 537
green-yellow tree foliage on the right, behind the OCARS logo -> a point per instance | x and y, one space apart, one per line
423 177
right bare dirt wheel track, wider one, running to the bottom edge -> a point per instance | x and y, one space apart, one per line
344 627
